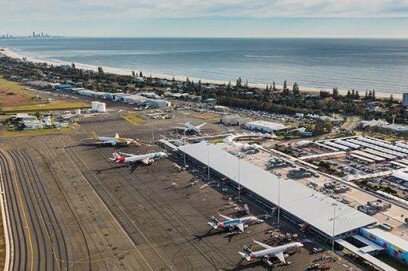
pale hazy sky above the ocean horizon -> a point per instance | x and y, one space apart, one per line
207 18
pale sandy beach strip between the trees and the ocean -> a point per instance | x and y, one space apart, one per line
120 71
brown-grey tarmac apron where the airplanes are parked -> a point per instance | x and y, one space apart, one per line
70 208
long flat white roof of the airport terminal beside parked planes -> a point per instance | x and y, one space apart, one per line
307 204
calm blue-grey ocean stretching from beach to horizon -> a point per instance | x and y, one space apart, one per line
360 64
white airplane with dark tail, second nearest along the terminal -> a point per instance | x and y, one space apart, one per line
233 223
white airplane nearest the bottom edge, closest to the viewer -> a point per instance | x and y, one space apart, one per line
269 252
